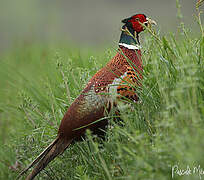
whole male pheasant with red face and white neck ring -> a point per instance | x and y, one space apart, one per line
101 93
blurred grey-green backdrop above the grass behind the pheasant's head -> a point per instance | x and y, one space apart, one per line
90 22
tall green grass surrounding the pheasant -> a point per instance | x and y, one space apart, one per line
38 84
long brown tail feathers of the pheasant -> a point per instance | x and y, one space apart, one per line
55 148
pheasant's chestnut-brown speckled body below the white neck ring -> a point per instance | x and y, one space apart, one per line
98 96
